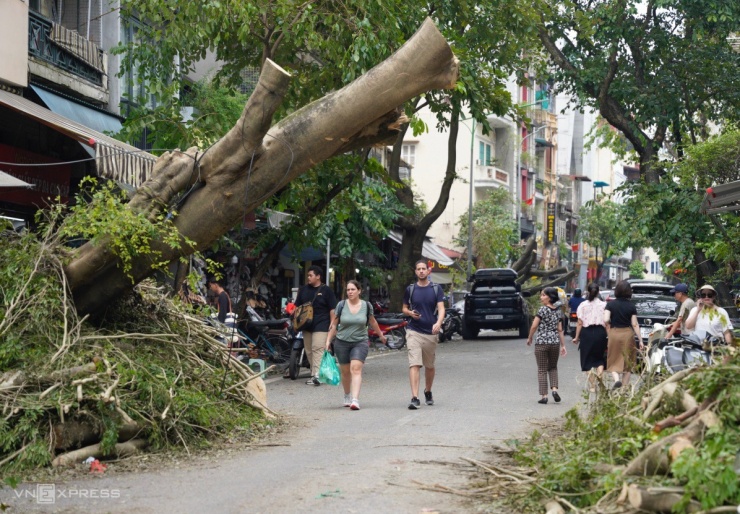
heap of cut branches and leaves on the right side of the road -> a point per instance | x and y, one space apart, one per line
669 445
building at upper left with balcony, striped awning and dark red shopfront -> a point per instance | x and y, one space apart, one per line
60 101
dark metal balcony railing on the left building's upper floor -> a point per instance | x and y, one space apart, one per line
64 49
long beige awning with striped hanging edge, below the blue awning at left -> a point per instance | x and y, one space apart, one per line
114 159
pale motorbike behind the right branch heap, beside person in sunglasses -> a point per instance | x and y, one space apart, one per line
677 353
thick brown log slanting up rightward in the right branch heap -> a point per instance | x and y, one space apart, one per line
653 460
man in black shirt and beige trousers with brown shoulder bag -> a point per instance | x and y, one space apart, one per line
315 332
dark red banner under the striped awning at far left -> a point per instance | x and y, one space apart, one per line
51 181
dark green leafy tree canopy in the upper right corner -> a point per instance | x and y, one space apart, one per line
657 71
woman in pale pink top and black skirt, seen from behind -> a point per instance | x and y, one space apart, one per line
591 335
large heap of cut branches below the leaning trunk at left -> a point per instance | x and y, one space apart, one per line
153 377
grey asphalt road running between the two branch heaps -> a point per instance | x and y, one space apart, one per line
333 460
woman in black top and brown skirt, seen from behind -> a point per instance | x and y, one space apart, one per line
620 317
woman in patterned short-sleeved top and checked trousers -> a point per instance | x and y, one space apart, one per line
548 324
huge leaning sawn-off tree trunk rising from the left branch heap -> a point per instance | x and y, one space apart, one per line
253 160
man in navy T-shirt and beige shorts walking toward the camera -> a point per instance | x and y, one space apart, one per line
423 302
